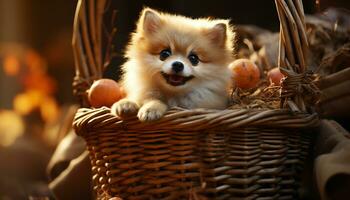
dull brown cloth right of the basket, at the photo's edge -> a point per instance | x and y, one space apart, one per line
332 165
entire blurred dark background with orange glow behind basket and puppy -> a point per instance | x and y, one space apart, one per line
37 69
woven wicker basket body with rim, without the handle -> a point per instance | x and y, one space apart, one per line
217 154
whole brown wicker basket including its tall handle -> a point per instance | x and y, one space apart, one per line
200 153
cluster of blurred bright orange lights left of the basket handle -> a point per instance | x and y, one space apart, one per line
38 87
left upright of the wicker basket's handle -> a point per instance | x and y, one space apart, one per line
88 41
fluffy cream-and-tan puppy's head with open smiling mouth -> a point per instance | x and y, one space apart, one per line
179 53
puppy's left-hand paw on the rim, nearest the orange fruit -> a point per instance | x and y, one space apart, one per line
124 108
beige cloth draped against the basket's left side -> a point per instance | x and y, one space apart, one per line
70 169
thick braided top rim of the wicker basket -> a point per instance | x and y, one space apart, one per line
90 120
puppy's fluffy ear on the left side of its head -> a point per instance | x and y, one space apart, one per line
151 20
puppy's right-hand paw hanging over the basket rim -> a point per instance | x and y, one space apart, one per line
151 111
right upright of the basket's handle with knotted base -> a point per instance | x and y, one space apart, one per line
298 88
